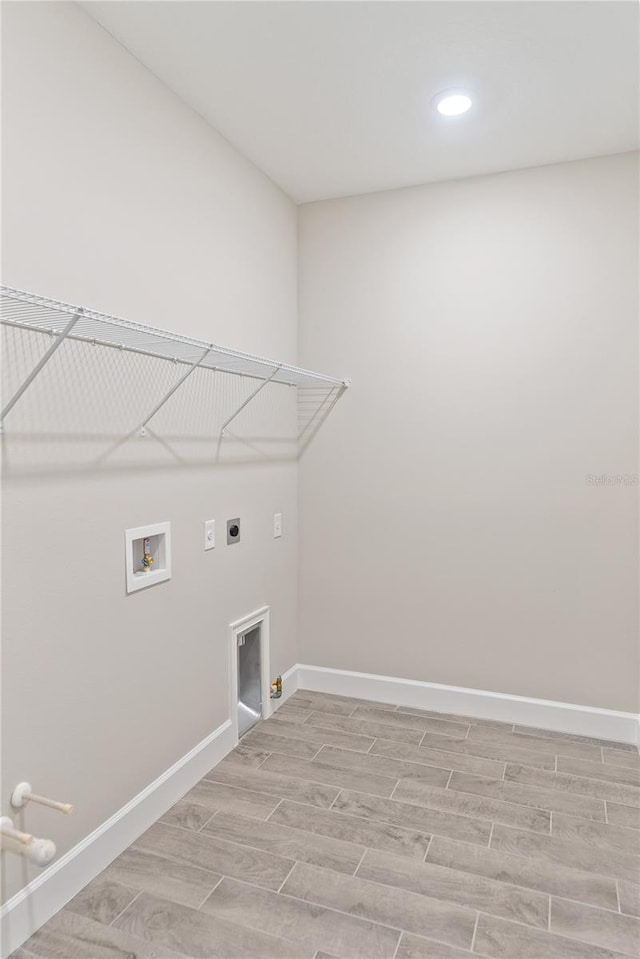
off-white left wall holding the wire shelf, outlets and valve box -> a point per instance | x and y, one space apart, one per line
117 197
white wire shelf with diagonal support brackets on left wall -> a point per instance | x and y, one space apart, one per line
63 321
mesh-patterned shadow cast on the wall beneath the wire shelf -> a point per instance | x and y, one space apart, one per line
85 409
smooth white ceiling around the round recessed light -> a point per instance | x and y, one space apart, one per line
334 98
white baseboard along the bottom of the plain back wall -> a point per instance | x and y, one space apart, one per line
540 713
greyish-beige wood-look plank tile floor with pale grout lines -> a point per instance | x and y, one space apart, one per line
356 830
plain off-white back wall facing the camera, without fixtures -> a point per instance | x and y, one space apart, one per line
447 531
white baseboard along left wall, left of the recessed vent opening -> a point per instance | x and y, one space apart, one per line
30 908
